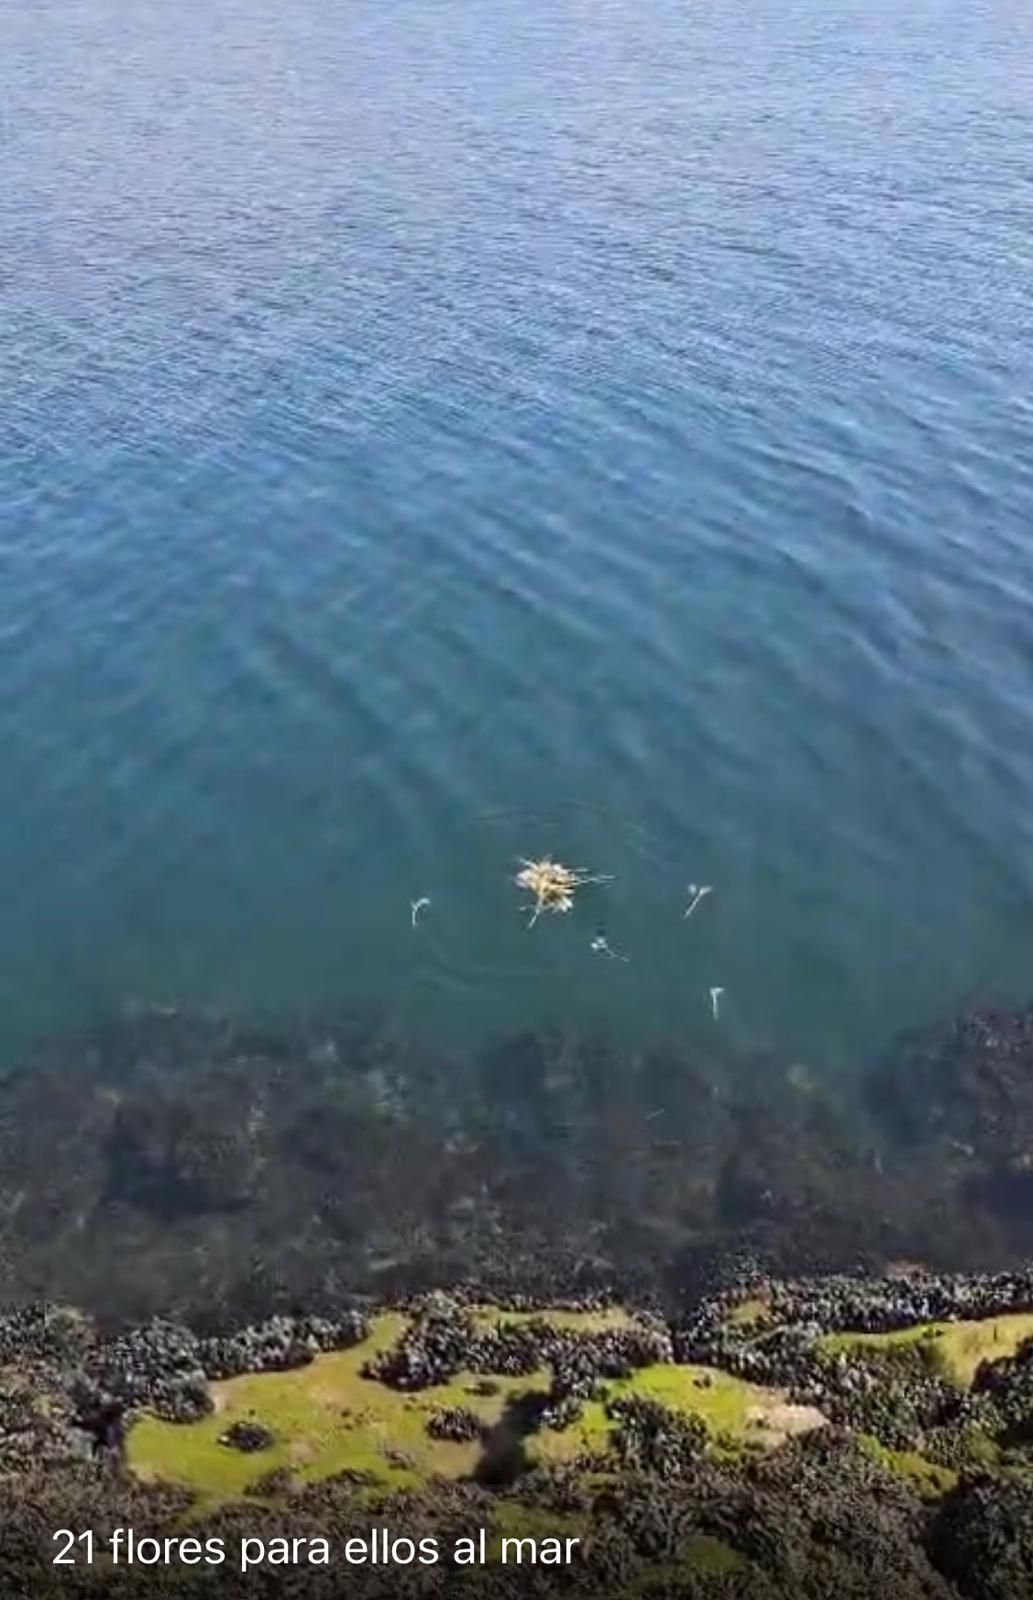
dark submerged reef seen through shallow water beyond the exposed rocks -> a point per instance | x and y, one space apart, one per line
175 1164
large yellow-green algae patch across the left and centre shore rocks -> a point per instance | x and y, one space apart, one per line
332 1417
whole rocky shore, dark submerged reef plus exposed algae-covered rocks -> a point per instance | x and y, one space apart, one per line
736 1335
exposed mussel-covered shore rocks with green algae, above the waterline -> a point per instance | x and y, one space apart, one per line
676 1476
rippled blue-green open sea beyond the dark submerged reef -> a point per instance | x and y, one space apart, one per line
444 433
